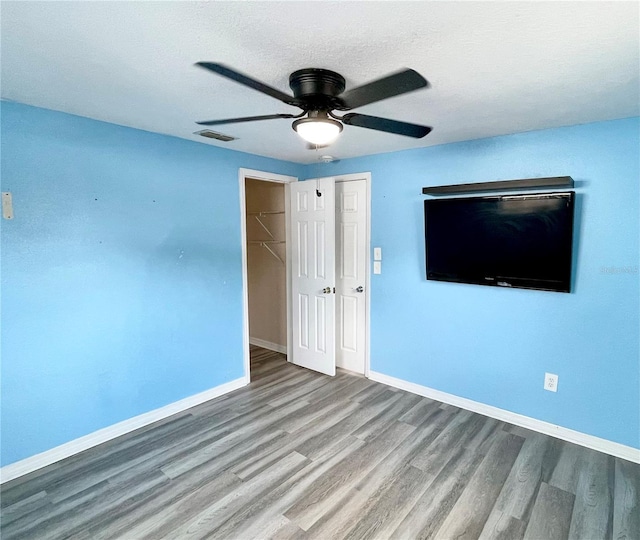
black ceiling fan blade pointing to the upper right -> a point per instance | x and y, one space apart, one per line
395 84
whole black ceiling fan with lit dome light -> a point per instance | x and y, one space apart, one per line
320 92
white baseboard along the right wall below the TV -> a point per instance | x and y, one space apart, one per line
595 443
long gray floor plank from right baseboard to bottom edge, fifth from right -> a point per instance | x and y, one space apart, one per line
469 515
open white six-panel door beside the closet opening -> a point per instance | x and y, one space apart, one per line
312 226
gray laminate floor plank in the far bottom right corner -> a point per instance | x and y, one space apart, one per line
626 513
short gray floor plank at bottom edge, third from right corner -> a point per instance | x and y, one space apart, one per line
551 514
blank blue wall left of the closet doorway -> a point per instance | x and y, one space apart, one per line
121 274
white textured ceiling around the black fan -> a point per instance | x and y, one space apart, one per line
495 67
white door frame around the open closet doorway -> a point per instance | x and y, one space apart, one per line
243 174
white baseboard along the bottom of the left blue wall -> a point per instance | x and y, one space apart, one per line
33 463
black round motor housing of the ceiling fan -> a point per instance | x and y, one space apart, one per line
318 87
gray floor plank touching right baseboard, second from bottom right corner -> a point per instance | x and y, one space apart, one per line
592 511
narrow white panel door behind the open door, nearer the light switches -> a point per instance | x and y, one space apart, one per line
351 270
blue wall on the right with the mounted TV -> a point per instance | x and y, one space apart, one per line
494 345
